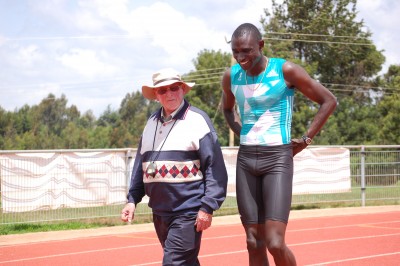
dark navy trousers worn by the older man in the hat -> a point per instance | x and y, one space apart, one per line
179 239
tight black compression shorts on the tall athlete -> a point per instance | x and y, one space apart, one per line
264 176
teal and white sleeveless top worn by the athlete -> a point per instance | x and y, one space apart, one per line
265 105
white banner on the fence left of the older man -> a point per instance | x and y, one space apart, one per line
51 180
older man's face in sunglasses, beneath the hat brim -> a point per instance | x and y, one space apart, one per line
170 97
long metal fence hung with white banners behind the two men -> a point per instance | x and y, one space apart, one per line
44 186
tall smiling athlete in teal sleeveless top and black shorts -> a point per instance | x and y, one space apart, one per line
263 89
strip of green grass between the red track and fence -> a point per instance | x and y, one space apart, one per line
108 216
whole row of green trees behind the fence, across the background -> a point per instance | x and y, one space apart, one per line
323 36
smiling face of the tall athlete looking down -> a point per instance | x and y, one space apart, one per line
247 50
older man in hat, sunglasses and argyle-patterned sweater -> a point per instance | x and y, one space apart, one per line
179 165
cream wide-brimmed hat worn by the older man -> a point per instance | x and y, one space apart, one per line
165 77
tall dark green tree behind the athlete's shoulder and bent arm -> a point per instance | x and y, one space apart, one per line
325 38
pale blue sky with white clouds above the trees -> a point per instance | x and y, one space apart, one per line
96 51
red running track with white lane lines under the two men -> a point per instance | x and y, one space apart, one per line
342 239
